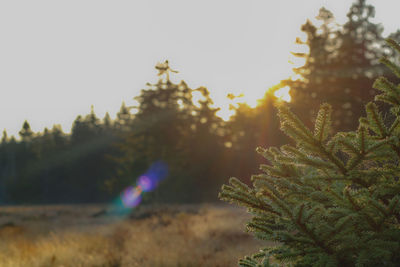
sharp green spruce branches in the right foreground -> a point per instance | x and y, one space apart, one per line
330 200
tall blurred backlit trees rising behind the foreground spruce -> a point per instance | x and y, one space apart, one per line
340 67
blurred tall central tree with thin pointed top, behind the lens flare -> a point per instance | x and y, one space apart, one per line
169 126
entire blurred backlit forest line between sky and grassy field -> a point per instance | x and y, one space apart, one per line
178 125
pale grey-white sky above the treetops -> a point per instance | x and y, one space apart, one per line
57 58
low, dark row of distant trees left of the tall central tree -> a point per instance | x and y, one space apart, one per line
52 167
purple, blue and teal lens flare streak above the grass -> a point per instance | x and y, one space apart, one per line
132 195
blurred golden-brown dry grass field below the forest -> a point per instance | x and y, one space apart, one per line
92 235
